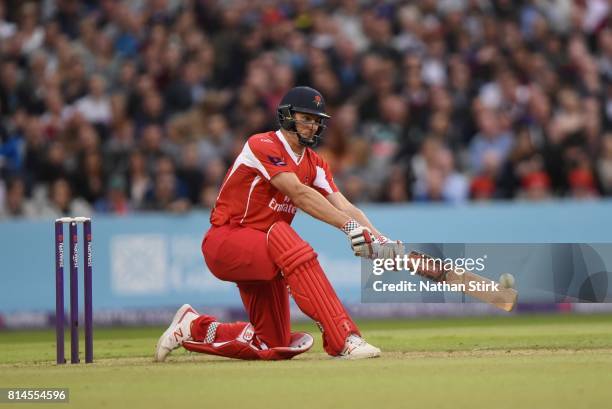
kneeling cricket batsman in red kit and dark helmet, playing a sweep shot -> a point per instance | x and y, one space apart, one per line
251 243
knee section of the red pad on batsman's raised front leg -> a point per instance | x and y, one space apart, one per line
287 248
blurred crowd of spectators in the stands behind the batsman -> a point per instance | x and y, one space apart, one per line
119 106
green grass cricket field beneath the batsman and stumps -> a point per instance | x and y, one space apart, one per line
542 361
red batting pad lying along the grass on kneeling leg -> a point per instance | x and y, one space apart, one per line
243 348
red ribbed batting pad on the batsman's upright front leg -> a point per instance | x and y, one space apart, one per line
309 286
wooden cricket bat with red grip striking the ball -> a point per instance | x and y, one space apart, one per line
475 286
